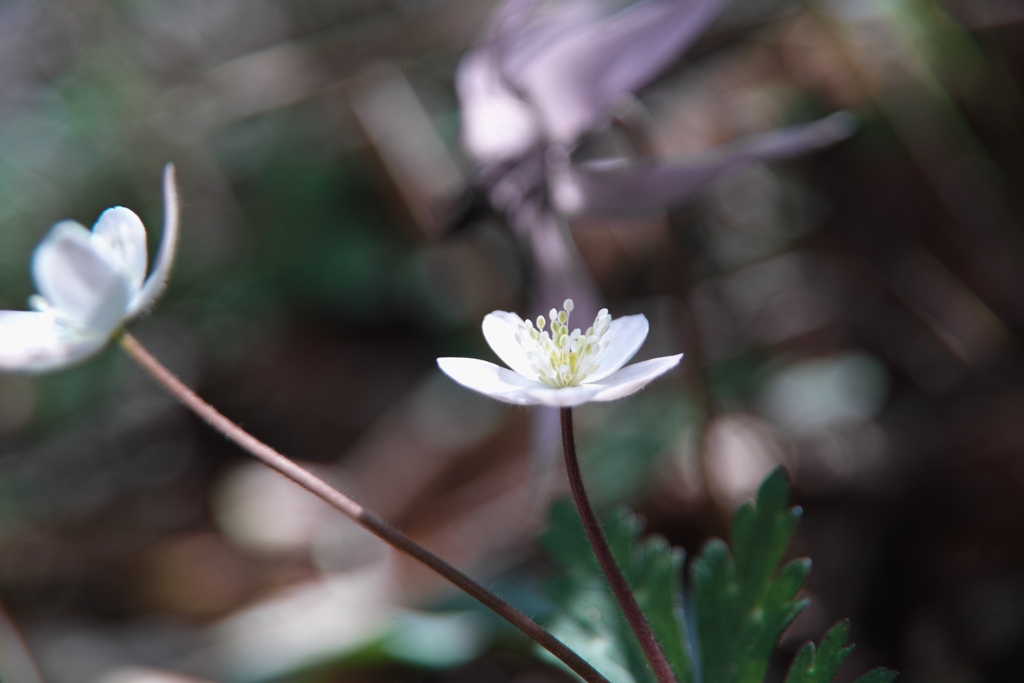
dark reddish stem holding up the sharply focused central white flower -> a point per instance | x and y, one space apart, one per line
660 665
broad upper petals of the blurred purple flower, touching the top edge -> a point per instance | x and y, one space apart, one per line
552 74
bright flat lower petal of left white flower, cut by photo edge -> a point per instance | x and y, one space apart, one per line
32 341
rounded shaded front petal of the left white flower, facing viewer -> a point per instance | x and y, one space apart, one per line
80 284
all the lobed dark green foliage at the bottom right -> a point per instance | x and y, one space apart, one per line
743 601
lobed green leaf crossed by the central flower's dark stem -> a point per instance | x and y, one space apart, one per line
591 621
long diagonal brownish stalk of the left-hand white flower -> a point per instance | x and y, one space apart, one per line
355 511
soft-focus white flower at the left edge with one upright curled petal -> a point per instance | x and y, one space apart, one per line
90 284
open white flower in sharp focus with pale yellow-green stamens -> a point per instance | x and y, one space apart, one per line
560 368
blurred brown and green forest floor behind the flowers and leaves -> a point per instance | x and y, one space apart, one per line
855 316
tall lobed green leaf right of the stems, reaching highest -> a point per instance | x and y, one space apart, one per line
743 603
